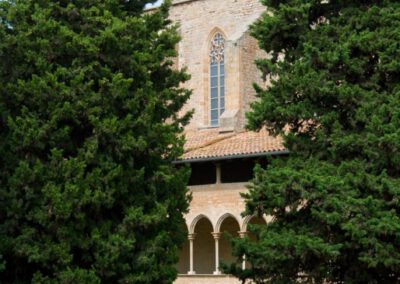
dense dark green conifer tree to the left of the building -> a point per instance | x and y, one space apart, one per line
89 127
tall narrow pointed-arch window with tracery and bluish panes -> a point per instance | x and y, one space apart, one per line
217 78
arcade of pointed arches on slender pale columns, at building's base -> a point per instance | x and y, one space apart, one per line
207 244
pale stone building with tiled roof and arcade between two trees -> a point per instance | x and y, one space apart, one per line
219 53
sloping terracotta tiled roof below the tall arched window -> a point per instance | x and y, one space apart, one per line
209 143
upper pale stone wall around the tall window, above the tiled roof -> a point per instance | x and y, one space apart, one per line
199 20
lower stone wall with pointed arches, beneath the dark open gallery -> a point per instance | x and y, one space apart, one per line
214 209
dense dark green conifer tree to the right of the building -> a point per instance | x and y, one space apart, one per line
335 99
